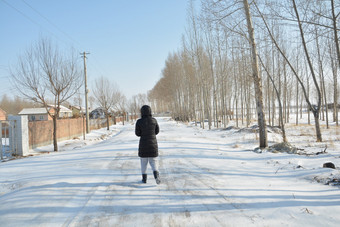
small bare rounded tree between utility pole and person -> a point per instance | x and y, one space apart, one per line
107 95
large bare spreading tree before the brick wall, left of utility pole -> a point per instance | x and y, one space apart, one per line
46 76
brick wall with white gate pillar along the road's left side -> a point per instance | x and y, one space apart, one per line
17 135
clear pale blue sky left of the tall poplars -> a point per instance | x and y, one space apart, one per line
128 40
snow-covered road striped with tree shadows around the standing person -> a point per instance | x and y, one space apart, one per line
210 178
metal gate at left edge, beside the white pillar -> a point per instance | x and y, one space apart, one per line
8 139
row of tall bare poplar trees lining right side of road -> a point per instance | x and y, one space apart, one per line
264 59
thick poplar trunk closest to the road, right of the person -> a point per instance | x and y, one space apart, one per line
257 80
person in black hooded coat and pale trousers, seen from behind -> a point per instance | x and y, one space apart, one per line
147 128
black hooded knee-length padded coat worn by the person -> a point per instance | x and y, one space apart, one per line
147 128
